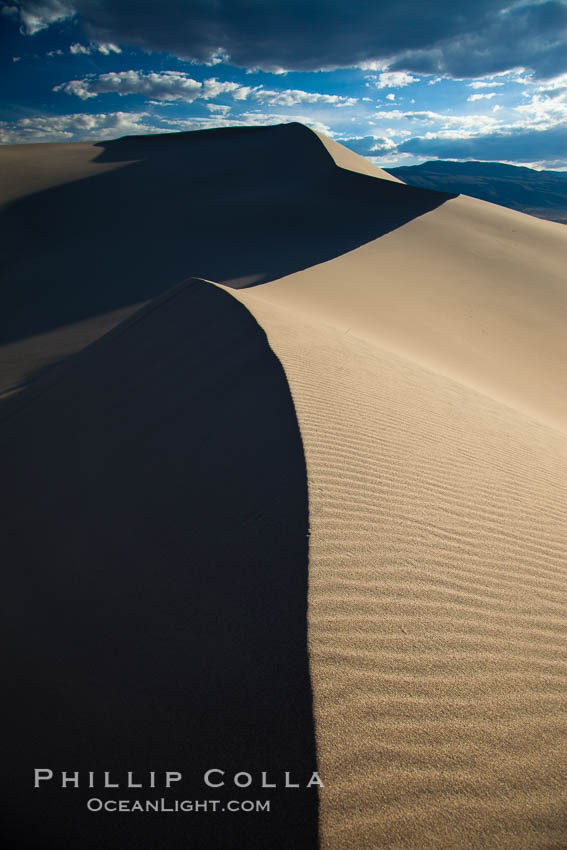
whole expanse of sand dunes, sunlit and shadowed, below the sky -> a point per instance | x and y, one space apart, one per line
306 513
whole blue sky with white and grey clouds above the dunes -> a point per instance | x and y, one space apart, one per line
395 82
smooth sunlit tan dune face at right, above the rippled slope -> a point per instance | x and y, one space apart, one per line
471 290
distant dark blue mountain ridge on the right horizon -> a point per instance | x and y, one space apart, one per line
540 193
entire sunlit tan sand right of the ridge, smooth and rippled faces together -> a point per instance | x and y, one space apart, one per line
438 540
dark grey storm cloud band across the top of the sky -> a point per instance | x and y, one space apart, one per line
455 37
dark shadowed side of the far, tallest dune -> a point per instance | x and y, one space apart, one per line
238 206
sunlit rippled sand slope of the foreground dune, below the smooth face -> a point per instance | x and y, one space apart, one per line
437 601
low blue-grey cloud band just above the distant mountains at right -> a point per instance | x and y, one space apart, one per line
522 145
